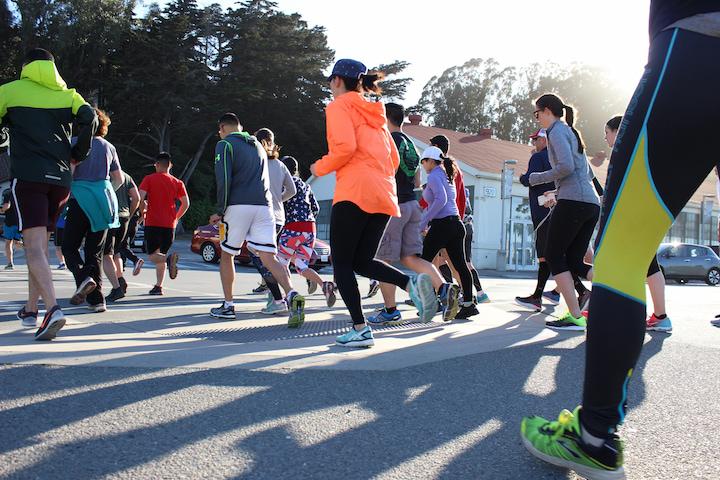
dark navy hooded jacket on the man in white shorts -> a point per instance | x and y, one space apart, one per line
241 172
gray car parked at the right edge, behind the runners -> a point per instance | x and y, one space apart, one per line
685 261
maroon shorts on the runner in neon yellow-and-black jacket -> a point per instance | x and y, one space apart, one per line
38 204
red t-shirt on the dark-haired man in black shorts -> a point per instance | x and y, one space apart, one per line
163 190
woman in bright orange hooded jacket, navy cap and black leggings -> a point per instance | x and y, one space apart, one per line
364 158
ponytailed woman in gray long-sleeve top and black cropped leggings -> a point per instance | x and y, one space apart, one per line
578 206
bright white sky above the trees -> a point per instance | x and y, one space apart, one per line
437 34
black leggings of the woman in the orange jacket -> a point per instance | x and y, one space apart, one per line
354 239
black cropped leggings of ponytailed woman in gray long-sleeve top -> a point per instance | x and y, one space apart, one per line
571 226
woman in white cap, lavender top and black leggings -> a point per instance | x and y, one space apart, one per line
443 217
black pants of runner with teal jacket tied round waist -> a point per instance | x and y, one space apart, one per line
77 229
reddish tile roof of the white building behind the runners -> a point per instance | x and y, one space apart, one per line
488 154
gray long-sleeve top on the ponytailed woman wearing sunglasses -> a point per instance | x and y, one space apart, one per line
570 169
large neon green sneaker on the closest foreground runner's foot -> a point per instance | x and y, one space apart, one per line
560 443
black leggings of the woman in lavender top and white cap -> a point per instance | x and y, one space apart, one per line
449 233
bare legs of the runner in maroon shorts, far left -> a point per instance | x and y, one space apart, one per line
40 278
